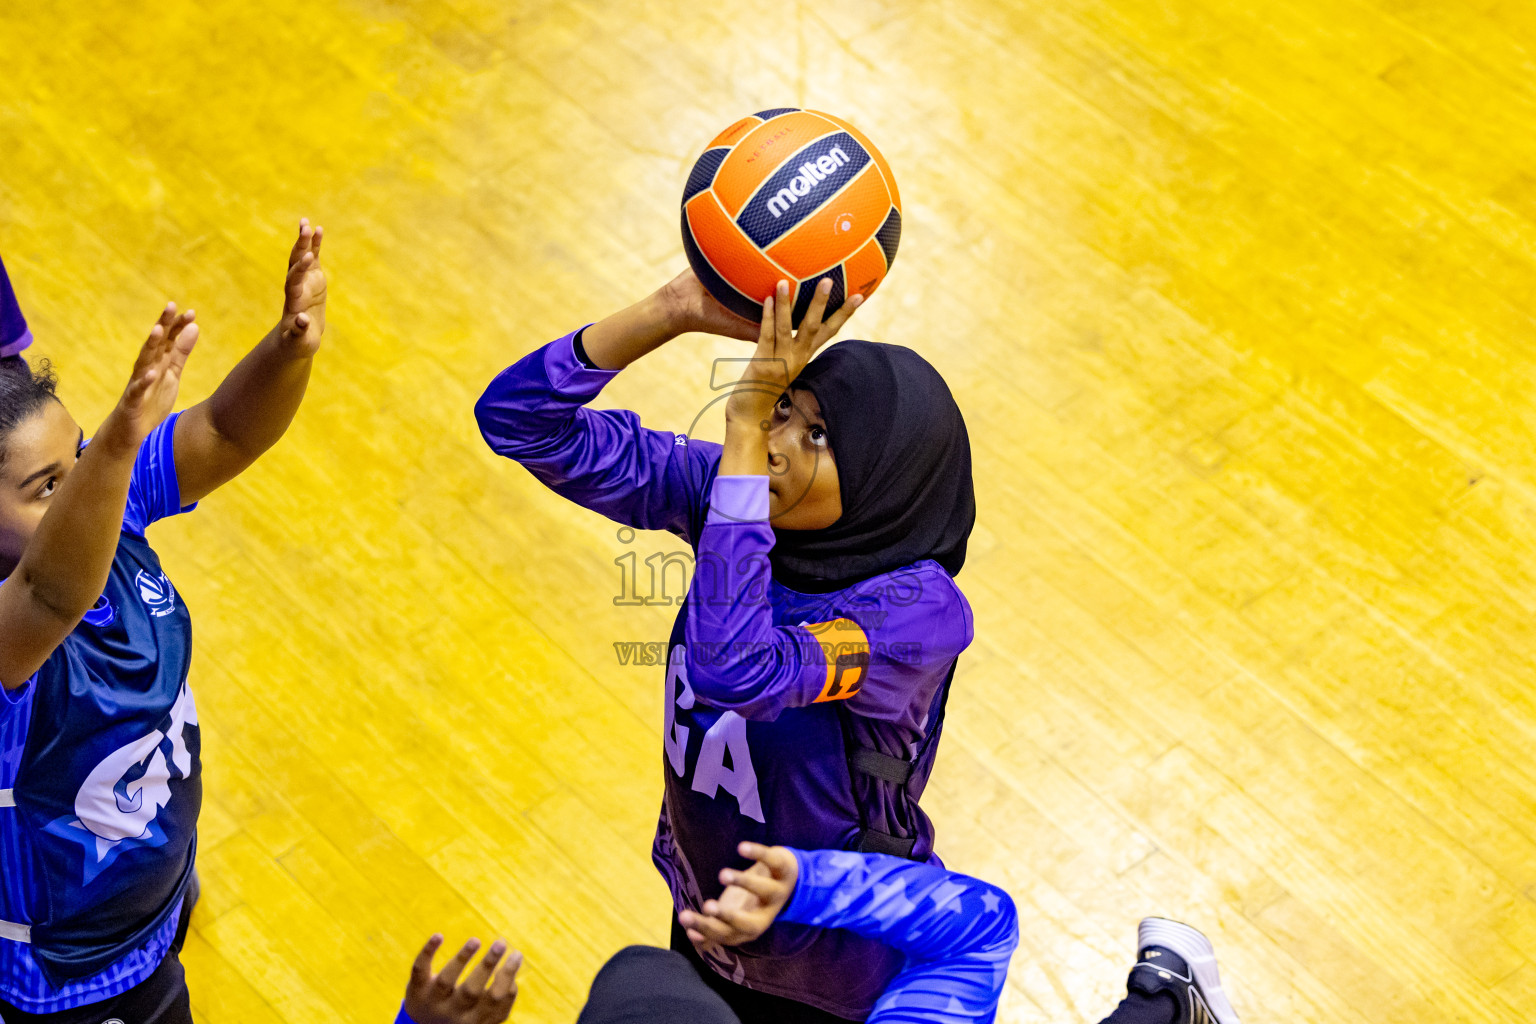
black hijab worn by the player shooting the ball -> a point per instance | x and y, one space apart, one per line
904 471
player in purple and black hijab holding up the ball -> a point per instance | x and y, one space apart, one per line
809 667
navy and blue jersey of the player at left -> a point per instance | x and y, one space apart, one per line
102 751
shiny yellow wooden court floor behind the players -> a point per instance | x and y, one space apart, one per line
1237 299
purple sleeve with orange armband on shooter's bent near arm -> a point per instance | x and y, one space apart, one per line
875 646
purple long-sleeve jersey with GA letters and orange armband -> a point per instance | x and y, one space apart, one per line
766 687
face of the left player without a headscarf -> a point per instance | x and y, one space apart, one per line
39 454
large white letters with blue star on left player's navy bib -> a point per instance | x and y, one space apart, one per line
118 805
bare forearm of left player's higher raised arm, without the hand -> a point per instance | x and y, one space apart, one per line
250 412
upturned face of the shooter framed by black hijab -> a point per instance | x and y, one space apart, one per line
803 475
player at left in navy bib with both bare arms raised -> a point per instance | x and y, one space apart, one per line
101 781
